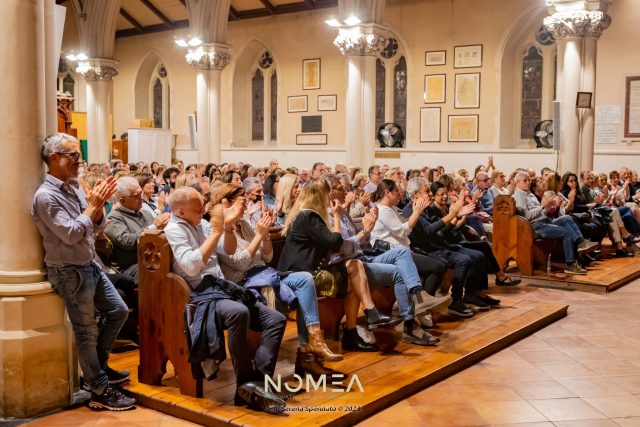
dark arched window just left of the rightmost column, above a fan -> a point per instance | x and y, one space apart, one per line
531 102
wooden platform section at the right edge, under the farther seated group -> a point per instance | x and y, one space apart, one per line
603 276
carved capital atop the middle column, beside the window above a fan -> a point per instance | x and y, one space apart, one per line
361 40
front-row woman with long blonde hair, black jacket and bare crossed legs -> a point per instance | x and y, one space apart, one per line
309 241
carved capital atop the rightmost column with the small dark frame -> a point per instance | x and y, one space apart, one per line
577 23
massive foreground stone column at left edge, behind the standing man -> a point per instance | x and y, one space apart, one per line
34 374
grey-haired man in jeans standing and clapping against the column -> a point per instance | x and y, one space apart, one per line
68 222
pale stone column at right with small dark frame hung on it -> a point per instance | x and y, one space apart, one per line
576 26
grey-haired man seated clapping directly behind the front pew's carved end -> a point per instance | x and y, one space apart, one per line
125 224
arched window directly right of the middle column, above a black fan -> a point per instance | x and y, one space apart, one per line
391 87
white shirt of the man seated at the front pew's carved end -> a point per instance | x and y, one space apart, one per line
185 242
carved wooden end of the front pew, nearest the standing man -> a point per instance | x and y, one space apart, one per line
162 298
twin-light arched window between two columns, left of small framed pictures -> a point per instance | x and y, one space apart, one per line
264 100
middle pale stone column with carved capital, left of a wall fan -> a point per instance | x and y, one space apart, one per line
361 44
